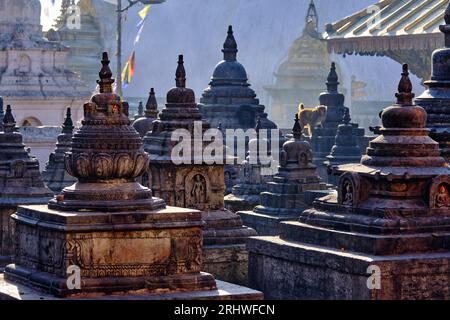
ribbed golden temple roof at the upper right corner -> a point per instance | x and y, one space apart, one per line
389 25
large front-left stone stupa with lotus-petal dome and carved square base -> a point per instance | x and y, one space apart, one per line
107 226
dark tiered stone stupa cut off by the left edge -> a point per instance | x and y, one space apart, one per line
20 181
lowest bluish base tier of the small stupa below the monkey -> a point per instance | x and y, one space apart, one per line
265 225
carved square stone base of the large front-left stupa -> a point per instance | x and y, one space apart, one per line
156 251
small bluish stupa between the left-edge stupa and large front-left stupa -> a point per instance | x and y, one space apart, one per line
55 174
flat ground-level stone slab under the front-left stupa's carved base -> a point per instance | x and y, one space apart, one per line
225 291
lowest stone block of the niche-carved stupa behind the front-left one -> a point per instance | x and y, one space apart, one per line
227 262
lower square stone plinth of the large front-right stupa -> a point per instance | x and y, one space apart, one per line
293 270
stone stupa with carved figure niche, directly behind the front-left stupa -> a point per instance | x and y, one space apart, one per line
196 184
